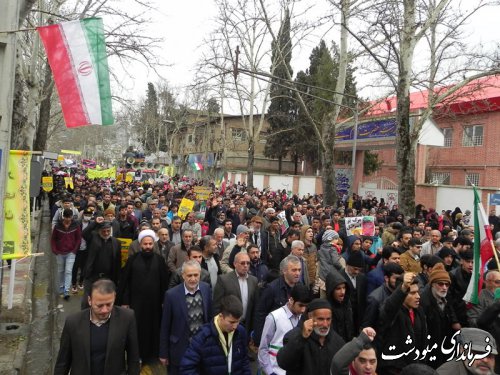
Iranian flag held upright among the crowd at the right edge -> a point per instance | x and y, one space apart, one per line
483 250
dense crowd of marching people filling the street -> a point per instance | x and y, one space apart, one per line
266 277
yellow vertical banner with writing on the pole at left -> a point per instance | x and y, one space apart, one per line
17 222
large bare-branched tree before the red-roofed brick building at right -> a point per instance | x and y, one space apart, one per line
392 32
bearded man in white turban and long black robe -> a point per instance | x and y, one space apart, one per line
144 282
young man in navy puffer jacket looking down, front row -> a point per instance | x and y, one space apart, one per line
219 347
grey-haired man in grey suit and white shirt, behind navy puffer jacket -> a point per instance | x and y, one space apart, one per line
241 284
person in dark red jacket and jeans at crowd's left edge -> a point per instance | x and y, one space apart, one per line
65 242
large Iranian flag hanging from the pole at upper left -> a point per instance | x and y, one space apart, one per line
77 56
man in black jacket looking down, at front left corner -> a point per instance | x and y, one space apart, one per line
95 340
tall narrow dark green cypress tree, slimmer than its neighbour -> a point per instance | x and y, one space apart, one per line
282 110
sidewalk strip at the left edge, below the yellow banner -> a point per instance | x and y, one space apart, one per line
15 323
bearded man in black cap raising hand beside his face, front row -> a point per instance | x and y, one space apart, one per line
308 349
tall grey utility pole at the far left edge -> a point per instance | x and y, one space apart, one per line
9 21
